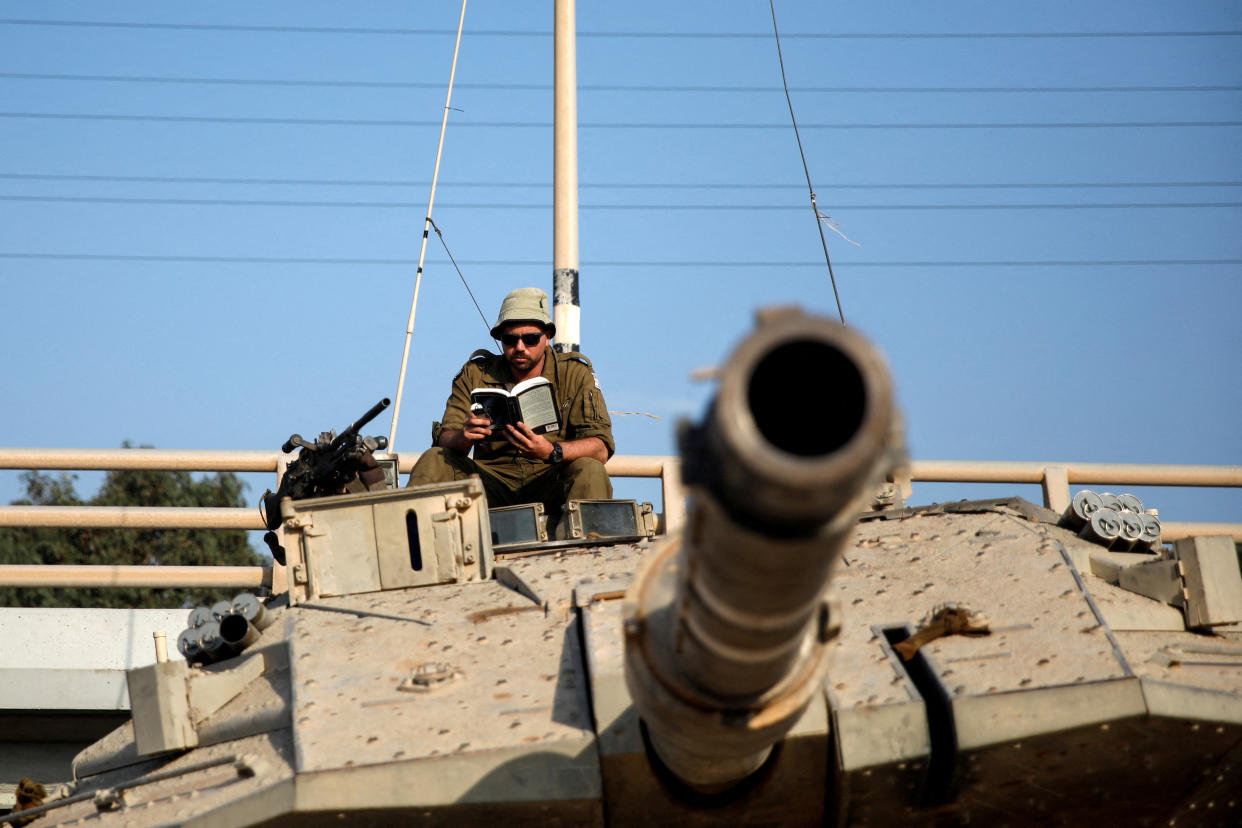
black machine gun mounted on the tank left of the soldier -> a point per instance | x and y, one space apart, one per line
333 465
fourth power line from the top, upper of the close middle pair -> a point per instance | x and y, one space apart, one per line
604 186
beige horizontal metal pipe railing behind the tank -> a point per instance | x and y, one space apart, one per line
1055 480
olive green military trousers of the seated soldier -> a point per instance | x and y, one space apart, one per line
579 480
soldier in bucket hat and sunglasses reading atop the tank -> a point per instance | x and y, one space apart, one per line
519 466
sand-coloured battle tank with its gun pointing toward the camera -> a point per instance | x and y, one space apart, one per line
809 650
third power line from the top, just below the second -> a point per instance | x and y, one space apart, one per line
610 126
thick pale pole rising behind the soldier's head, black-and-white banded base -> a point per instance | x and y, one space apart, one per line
567 312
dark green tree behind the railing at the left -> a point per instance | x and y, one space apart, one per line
127 547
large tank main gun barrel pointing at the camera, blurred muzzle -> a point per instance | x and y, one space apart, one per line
727 628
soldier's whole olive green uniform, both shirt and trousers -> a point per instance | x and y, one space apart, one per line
509 479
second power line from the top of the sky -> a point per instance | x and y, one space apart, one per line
599 88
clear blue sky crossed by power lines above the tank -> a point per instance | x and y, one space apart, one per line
209 215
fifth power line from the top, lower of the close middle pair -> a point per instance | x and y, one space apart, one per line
648 208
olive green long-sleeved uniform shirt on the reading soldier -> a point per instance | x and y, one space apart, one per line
579 399
